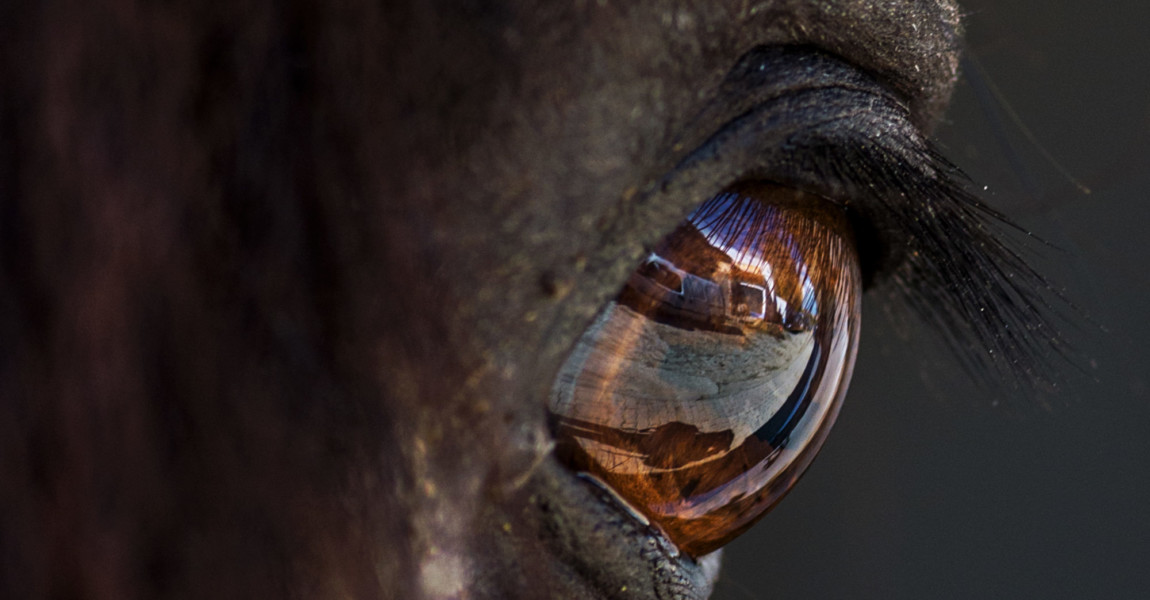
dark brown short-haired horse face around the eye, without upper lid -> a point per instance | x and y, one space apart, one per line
283 289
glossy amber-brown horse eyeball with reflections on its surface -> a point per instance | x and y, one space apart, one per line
703 391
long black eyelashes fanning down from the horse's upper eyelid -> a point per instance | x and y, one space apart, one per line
959 270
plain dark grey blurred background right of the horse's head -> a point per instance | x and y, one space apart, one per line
925 489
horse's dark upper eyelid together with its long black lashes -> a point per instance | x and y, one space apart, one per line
811 120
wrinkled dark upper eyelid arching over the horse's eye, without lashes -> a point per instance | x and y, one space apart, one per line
714 149
